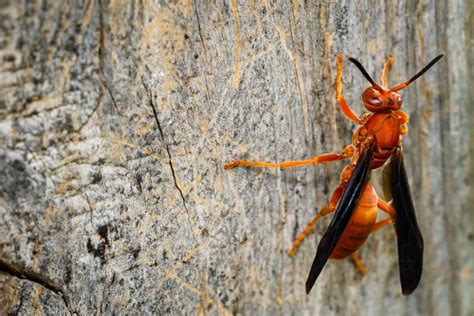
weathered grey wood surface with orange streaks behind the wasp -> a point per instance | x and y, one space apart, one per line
117 117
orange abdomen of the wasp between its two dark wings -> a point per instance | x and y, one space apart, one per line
360 225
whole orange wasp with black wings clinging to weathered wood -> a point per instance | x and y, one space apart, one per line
377 142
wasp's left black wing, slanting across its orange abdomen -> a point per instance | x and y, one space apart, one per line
345 208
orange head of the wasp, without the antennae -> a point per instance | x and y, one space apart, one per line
379 101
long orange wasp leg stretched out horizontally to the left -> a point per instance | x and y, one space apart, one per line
347 152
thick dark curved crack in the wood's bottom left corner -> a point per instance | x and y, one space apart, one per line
20 272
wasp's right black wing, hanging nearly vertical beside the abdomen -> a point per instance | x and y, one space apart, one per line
410 241
